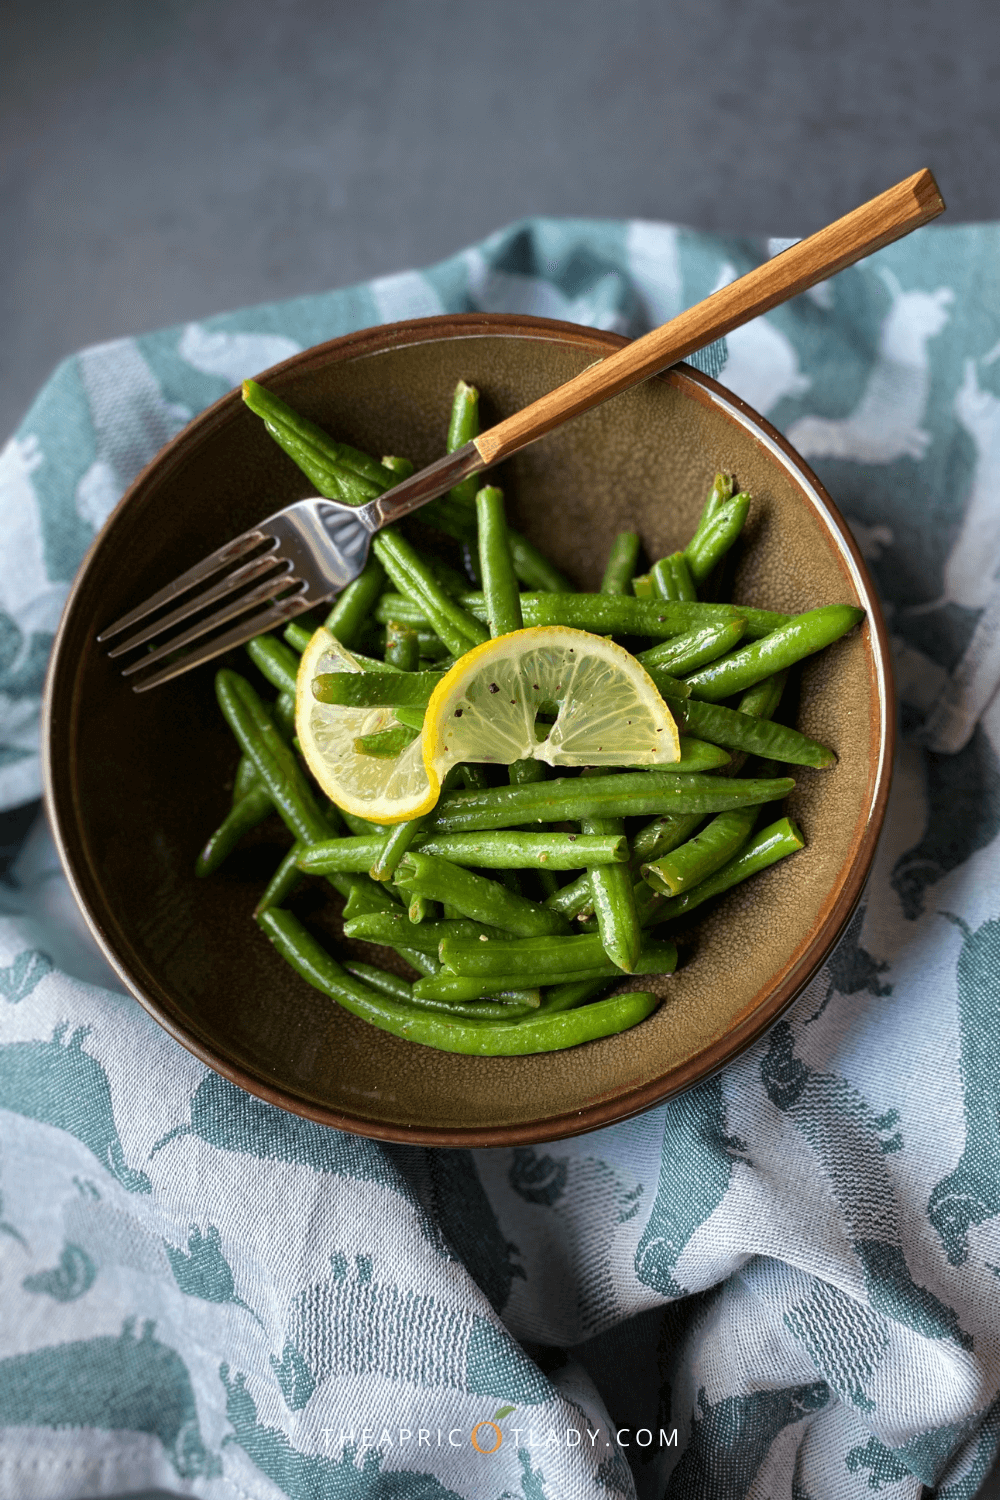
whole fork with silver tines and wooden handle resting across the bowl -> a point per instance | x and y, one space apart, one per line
311 551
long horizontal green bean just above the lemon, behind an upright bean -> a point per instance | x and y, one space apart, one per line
603 614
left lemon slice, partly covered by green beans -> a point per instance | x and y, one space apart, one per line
386 791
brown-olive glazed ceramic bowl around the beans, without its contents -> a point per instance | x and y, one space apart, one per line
137 782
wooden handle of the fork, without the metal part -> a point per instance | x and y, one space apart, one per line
867 229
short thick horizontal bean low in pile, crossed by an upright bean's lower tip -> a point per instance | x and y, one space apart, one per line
537 958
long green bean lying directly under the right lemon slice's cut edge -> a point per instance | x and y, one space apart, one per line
570 799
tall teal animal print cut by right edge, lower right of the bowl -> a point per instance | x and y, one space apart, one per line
971 1195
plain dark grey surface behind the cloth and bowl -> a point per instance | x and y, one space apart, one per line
166 160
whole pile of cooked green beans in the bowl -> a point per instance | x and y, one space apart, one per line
522 898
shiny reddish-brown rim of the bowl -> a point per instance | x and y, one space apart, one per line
812 955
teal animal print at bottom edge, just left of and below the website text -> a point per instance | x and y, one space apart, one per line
314 1477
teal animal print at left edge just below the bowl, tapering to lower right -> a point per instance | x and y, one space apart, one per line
59 1084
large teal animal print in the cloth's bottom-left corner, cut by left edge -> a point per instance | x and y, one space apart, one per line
127 1384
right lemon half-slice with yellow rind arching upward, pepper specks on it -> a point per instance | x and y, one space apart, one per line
609 710
